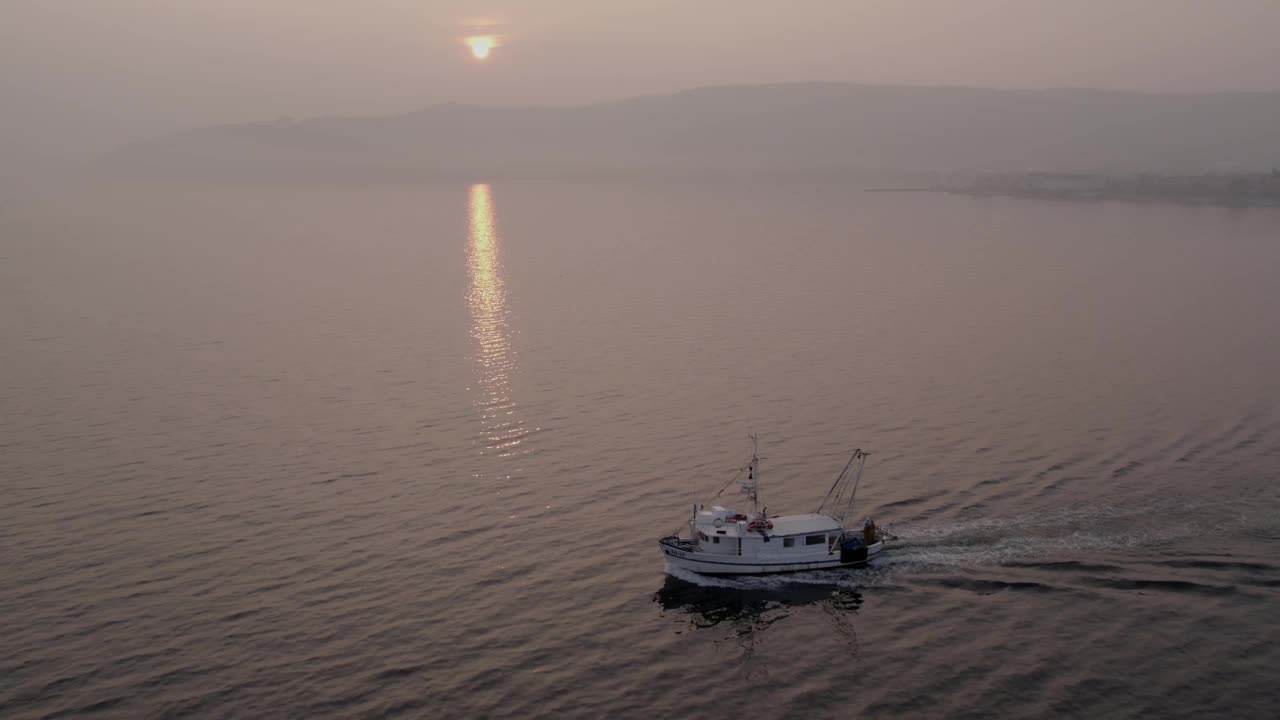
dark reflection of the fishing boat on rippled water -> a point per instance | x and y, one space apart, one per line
749 607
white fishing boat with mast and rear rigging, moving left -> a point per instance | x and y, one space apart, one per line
724 541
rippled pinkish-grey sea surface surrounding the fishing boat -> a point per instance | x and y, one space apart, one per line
406 450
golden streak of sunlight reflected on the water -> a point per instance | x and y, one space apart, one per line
501 430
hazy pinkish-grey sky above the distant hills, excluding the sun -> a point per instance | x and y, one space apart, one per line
111 71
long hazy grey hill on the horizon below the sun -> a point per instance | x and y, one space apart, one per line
776 129
